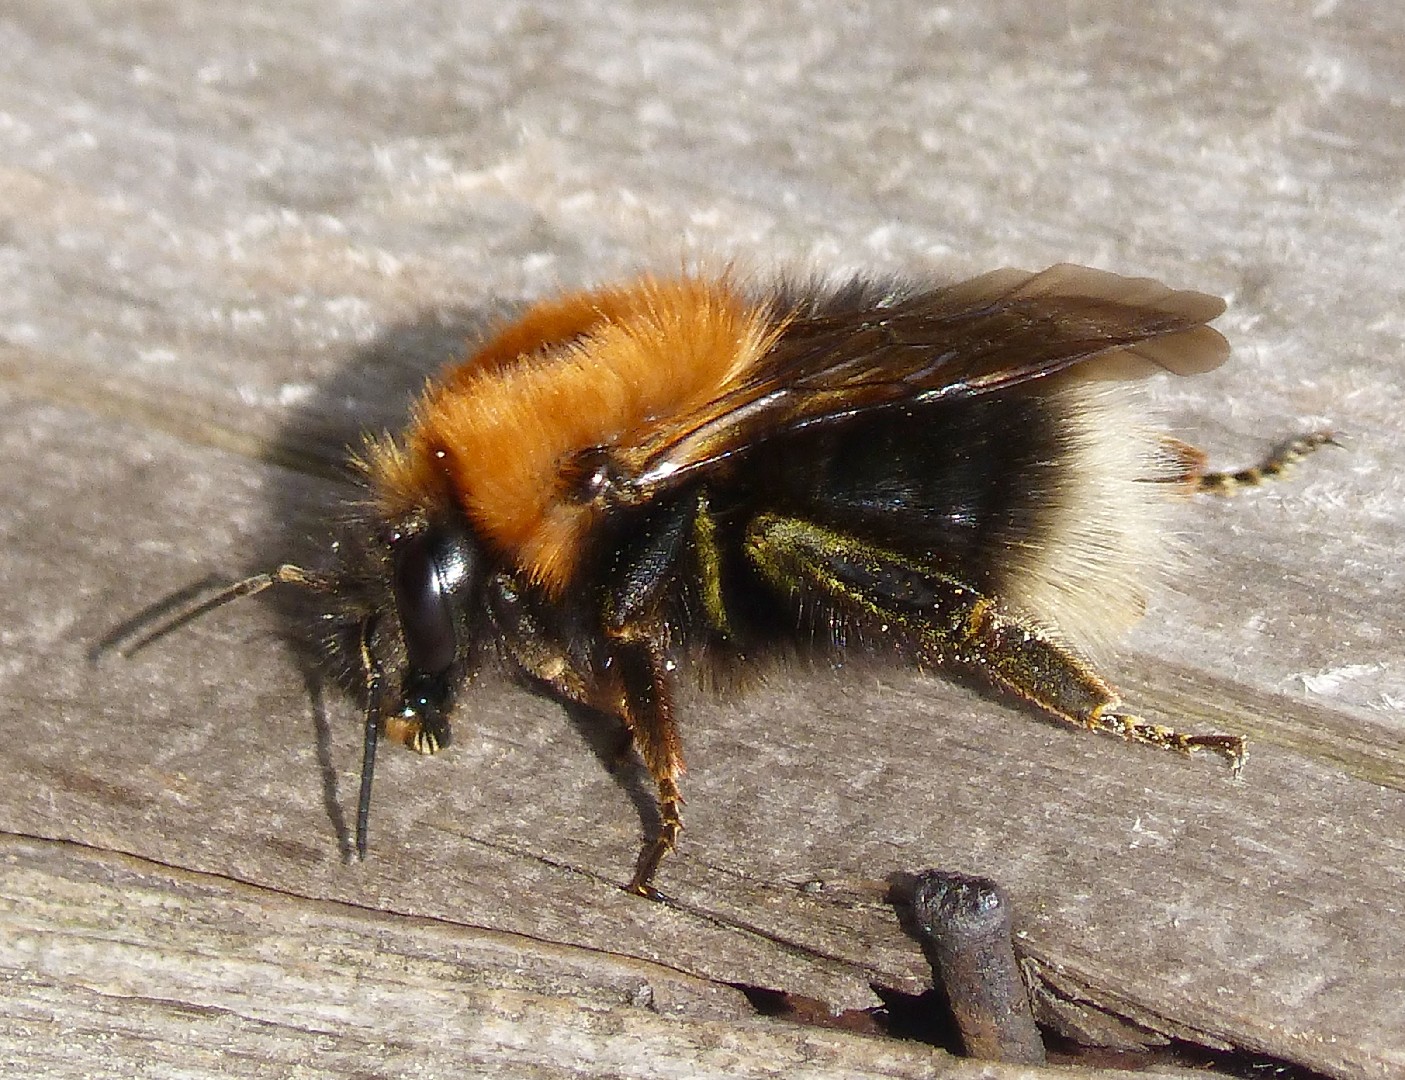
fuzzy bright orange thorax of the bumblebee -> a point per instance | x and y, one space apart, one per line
603 370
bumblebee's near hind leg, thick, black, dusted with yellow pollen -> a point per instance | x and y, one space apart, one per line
945 621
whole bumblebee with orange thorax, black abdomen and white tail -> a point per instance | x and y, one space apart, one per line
689 471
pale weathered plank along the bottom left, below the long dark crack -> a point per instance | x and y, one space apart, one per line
117 967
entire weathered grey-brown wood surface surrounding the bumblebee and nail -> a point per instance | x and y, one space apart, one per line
231 237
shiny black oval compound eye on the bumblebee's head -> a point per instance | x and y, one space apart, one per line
432 578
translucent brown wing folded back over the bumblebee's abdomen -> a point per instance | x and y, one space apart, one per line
1000 329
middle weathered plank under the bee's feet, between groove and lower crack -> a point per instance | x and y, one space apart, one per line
806 797
